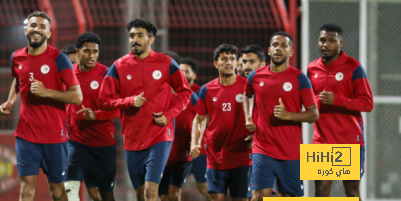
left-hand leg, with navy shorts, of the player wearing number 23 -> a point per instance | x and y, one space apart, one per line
217 183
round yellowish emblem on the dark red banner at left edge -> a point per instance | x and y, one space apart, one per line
8 169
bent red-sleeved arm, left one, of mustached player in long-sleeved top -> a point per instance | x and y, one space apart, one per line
109 95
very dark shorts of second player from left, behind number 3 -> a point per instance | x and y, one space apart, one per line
94 165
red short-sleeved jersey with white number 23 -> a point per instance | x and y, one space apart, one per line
226 147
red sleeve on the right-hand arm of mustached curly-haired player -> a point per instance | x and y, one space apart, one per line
182 94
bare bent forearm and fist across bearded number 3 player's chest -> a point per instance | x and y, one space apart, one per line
73 94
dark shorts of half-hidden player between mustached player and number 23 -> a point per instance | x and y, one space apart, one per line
174 175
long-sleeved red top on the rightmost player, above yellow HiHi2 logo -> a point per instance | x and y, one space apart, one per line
341 123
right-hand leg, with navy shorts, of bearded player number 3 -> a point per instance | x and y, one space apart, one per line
54 165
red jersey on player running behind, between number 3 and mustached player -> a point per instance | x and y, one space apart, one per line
99 132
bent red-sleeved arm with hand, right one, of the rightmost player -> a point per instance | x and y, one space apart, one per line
363 99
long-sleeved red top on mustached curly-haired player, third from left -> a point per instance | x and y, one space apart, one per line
154 75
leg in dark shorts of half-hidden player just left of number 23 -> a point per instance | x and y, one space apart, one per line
178 175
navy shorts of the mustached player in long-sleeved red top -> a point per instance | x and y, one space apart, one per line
148 164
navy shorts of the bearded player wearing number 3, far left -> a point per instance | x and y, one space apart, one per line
52 158
